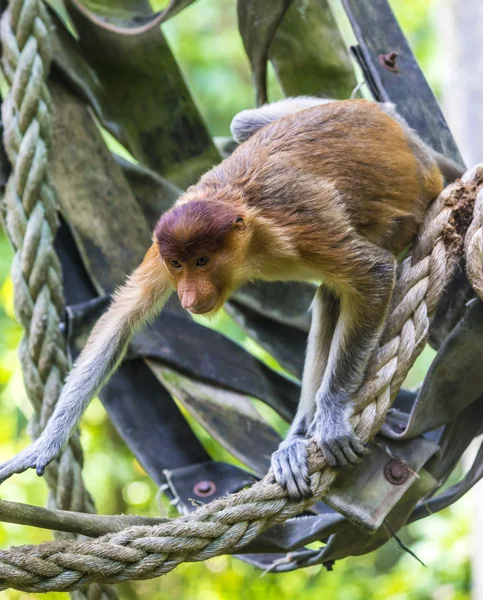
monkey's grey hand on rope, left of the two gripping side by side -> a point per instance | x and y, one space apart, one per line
290 468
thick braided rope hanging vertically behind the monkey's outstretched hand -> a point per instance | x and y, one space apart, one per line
31 223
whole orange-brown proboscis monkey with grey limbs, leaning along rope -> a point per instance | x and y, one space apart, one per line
326 191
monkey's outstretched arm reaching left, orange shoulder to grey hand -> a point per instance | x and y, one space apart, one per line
142 296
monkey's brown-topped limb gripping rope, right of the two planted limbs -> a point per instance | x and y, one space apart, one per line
363 309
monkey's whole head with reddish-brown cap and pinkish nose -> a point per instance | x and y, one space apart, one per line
203 244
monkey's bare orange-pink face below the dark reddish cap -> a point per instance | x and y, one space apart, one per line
200 281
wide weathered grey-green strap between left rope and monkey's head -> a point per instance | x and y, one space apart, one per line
109 227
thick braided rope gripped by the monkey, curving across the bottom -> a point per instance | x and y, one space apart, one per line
228 524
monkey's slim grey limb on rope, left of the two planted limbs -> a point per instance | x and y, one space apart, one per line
289 462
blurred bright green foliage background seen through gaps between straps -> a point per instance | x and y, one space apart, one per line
205 40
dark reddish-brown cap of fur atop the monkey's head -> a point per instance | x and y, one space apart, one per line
194 227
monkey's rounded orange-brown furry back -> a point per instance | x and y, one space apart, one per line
349 157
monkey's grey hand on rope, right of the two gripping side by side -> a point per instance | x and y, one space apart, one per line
335 436
